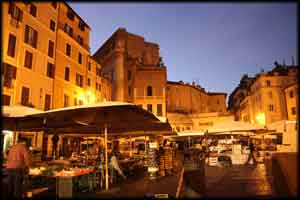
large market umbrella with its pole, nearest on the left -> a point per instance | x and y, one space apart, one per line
114 117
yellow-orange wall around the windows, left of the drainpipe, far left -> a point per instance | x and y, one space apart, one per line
34 78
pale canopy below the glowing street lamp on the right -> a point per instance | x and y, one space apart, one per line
234 126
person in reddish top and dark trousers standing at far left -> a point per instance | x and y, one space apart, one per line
18 163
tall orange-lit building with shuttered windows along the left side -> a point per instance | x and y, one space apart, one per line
46 61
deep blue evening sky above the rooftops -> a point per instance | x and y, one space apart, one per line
213 44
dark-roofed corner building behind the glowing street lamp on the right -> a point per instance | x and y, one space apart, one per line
265 102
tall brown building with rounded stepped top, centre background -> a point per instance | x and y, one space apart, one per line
135 70
